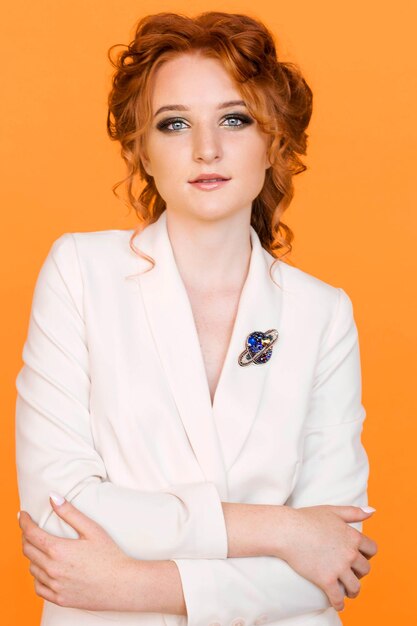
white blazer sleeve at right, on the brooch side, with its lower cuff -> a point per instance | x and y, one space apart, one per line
334 470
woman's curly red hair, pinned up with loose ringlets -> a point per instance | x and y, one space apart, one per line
275 93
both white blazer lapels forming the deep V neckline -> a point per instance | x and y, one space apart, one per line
216 433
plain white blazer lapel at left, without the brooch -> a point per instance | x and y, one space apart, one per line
171 322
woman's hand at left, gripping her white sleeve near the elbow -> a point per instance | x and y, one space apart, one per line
88 572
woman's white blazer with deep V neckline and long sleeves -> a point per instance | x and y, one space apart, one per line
113 411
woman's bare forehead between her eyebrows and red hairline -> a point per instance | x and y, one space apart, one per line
192 79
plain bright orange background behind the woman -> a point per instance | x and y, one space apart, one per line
351 215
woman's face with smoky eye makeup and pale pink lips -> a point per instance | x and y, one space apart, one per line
201 135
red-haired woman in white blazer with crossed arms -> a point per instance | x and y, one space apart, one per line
191 401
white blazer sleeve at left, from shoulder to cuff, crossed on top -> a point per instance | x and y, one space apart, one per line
54 443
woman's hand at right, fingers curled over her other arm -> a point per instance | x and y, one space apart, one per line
320 545
